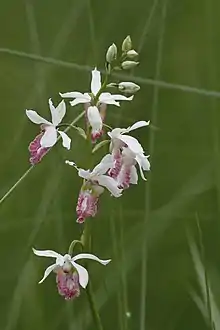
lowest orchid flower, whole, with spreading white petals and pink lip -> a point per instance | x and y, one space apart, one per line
69 273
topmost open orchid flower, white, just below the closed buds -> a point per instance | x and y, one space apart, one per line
93 101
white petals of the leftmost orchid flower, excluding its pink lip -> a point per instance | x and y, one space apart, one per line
50 137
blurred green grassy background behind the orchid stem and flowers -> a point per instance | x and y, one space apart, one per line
49 46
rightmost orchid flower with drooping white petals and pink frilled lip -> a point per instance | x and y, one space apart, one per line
120 139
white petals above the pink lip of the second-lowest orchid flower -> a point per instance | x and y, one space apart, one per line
97 176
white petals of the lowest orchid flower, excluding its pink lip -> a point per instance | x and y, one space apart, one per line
66 262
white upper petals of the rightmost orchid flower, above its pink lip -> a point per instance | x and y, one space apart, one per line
118 137
